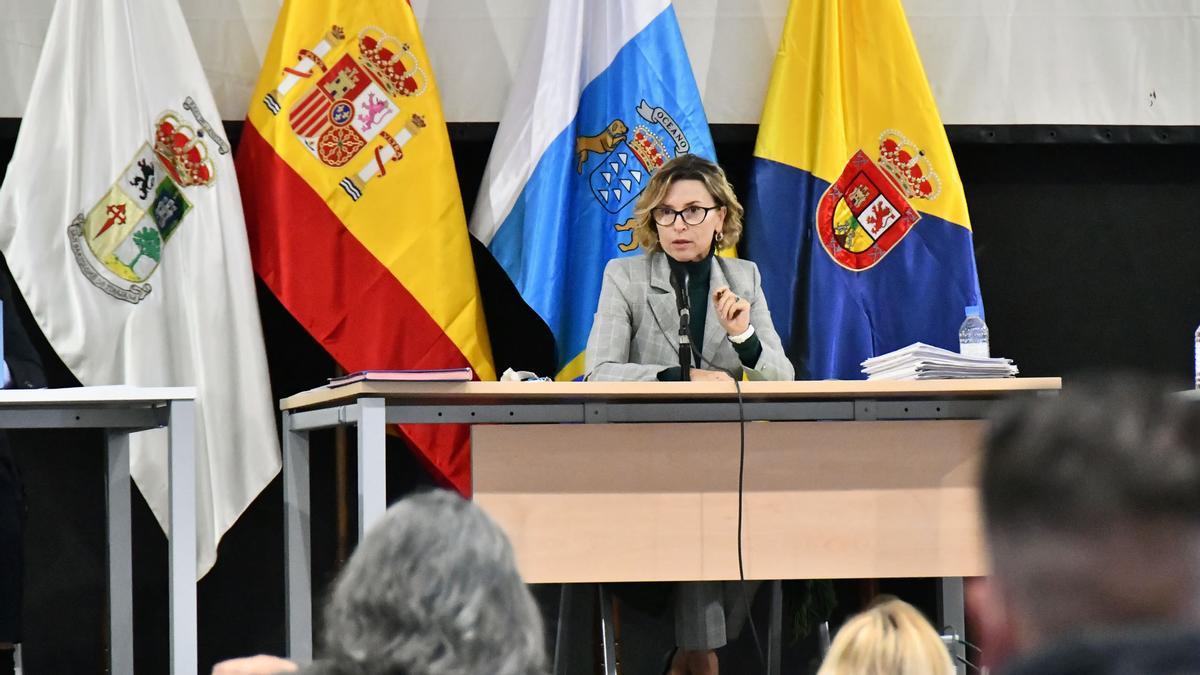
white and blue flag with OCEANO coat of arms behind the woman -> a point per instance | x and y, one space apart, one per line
605 95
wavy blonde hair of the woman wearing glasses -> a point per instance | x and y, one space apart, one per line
688 168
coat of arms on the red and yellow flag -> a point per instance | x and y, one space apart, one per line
352 111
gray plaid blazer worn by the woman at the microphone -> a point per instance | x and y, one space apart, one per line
635 332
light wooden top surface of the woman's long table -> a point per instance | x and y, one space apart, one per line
585 392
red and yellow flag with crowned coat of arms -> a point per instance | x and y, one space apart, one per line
353 206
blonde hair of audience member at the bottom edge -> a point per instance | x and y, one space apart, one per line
891 638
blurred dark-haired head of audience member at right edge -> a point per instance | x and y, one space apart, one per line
1093 510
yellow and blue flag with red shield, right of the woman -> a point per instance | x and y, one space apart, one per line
857 217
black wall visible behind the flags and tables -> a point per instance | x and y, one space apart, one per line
1087 248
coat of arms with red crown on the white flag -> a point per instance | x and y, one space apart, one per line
121 242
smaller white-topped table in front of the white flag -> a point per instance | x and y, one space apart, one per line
122 411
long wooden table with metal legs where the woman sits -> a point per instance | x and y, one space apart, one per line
639 481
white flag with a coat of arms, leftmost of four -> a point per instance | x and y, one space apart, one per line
122 224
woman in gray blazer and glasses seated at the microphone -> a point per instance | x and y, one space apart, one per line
686 214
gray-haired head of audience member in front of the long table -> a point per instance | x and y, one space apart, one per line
434 590
